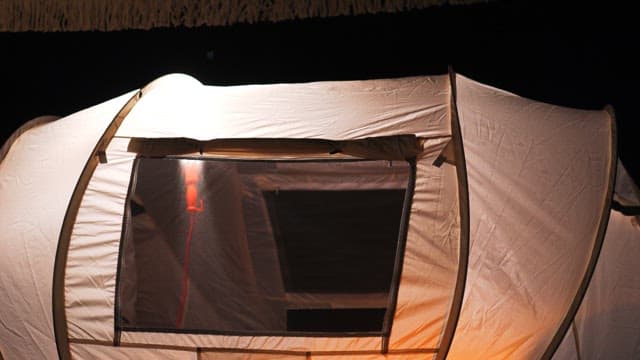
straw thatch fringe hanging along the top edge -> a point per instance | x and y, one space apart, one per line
110 15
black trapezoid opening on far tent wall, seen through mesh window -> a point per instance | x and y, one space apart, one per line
321 236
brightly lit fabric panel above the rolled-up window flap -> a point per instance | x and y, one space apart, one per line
415 105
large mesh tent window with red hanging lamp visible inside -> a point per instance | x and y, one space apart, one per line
252 247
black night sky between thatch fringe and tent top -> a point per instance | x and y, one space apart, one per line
582 58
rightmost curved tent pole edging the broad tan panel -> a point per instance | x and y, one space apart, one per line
597 246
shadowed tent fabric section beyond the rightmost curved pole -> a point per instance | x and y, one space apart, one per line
607 322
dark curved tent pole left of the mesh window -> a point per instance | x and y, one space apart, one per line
97 155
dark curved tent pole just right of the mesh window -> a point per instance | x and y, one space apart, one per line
463 199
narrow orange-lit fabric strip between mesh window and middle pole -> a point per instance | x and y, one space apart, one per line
430 260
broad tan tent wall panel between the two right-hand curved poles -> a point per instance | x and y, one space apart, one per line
538 182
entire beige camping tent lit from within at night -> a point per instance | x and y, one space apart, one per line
411 218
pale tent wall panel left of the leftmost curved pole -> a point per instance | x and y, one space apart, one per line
39 173
